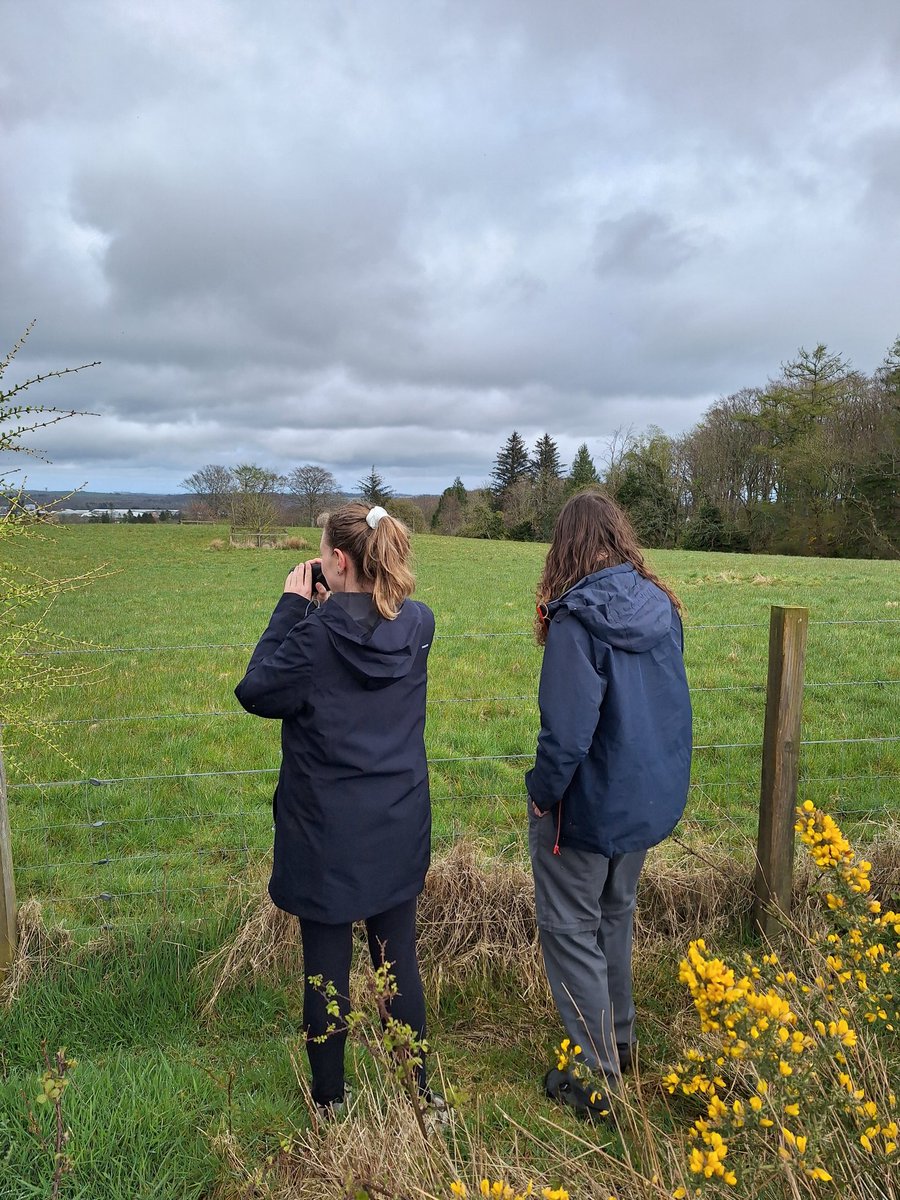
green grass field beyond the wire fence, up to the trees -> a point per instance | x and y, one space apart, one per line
115 853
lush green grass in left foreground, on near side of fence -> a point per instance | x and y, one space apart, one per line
151 1084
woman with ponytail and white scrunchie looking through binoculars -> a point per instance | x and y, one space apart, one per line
344 667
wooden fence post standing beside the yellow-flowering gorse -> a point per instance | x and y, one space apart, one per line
781 767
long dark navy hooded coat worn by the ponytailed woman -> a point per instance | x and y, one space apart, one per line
352 808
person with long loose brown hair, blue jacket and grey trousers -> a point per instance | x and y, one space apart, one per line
610 779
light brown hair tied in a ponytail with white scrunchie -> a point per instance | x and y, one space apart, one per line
381 555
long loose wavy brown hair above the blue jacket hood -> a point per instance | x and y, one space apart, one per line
592 532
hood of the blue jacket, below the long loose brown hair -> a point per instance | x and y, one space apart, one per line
619 607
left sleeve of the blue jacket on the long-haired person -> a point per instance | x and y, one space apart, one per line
571 694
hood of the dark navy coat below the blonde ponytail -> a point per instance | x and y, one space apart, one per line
381 652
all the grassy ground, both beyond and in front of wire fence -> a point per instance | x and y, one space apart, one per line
169 1105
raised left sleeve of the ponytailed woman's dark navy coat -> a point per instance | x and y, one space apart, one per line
280 671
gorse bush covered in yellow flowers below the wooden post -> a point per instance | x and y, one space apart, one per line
797 1053
